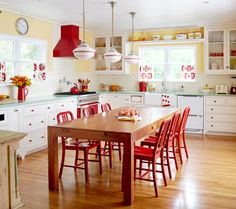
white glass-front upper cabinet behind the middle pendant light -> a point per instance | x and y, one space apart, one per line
102 45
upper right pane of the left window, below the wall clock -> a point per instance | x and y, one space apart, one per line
30 52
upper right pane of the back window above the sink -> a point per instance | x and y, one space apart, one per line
182 56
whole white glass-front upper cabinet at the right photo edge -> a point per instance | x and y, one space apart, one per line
220 54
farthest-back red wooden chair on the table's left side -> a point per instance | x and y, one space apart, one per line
109 146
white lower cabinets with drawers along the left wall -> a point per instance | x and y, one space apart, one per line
33 119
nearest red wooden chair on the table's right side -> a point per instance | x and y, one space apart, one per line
150 156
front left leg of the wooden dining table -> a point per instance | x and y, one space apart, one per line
52 160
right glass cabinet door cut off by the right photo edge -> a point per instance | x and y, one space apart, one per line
231 50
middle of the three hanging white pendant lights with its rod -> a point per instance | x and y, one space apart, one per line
112 55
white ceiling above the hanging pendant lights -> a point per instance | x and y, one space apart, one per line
150 13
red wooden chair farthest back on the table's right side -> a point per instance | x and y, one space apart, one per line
180 134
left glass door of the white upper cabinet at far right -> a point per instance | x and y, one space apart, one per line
215 51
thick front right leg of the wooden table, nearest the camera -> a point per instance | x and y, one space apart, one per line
128 172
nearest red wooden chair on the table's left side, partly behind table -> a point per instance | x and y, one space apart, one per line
77 145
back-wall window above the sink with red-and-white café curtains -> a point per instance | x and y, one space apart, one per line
173 63
